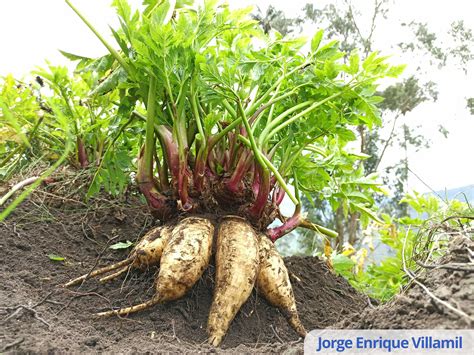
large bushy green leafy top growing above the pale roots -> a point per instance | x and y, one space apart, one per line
222 88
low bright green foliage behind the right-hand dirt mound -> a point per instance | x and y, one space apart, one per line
407 238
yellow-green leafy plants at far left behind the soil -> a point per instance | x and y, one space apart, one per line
93 118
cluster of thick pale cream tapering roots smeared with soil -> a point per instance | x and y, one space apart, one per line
244 259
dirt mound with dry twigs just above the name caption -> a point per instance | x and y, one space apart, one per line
450 281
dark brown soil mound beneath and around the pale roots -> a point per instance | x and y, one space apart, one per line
40 316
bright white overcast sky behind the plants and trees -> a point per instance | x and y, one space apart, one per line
32 31
